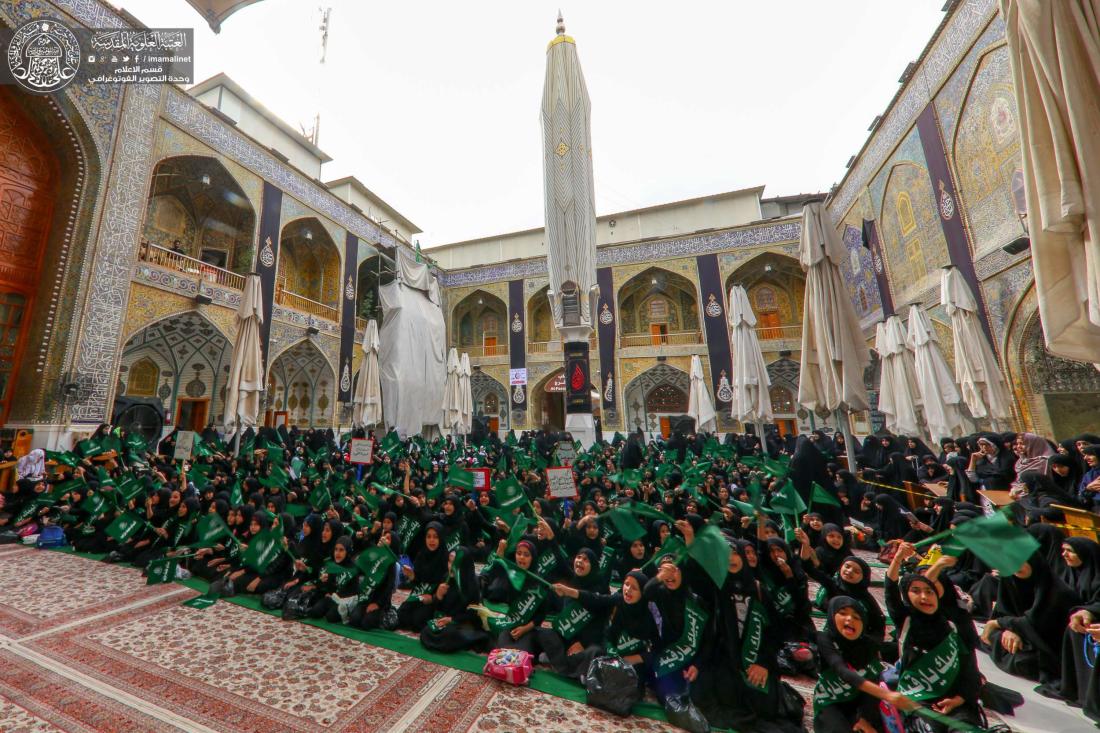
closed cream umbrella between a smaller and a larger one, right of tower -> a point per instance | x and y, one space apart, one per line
752 402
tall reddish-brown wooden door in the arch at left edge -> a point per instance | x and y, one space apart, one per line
28 191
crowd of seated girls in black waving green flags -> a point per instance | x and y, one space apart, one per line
584 592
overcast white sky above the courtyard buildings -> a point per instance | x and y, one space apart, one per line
435 104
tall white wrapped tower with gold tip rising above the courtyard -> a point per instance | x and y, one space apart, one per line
571 222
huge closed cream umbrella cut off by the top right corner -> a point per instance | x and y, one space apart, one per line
1055 57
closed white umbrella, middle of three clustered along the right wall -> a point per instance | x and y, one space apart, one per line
940 397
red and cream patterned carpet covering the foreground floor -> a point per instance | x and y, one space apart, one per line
87 647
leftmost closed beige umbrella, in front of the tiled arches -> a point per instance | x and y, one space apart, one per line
247 366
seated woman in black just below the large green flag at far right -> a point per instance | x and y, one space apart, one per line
1031 612
